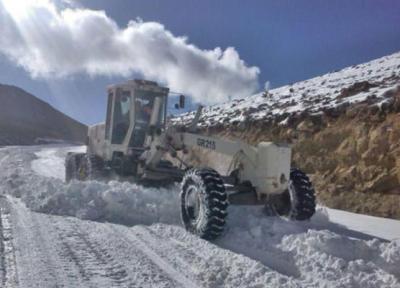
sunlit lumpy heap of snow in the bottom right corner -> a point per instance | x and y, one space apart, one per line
341 261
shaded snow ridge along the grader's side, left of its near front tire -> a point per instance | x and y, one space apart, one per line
117 202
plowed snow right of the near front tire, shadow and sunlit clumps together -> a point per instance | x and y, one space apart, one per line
318 253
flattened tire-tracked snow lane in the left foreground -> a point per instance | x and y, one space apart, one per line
56 251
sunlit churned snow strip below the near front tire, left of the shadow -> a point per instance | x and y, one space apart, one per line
210 264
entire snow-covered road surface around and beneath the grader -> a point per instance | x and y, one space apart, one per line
54 234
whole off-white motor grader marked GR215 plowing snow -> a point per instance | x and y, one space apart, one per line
136 141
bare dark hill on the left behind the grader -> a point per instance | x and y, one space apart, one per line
27 120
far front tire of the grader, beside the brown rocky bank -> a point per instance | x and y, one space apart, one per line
298 202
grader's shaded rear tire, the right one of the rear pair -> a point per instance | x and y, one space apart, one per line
91 167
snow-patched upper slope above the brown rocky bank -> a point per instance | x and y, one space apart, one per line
312 96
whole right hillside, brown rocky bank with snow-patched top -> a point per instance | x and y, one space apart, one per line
344 127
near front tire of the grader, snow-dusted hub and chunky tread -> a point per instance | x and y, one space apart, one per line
203 203
